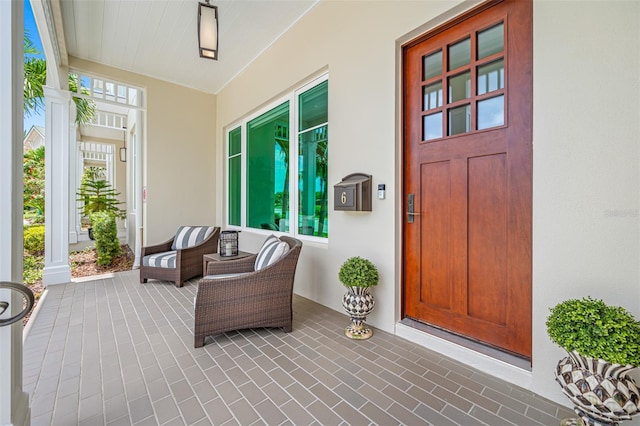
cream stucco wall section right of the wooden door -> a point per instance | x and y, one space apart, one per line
586 136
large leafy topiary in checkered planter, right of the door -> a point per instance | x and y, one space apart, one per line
603 343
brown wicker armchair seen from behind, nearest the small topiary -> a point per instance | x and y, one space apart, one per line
251 299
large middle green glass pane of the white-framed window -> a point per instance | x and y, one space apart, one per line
268 169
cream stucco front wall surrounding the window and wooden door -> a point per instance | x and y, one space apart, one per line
586 134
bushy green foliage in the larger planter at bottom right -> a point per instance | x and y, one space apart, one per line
595 329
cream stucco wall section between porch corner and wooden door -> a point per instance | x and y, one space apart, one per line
359 53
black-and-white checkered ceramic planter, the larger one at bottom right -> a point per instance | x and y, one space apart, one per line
602 392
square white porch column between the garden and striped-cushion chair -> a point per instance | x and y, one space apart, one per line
60 137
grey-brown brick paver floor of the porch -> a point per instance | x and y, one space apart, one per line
114 351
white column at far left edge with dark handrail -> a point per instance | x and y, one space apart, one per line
14 403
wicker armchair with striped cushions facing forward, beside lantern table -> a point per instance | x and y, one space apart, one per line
180 258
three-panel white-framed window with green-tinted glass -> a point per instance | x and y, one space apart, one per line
277 165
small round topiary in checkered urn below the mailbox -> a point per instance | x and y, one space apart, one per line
358 275
